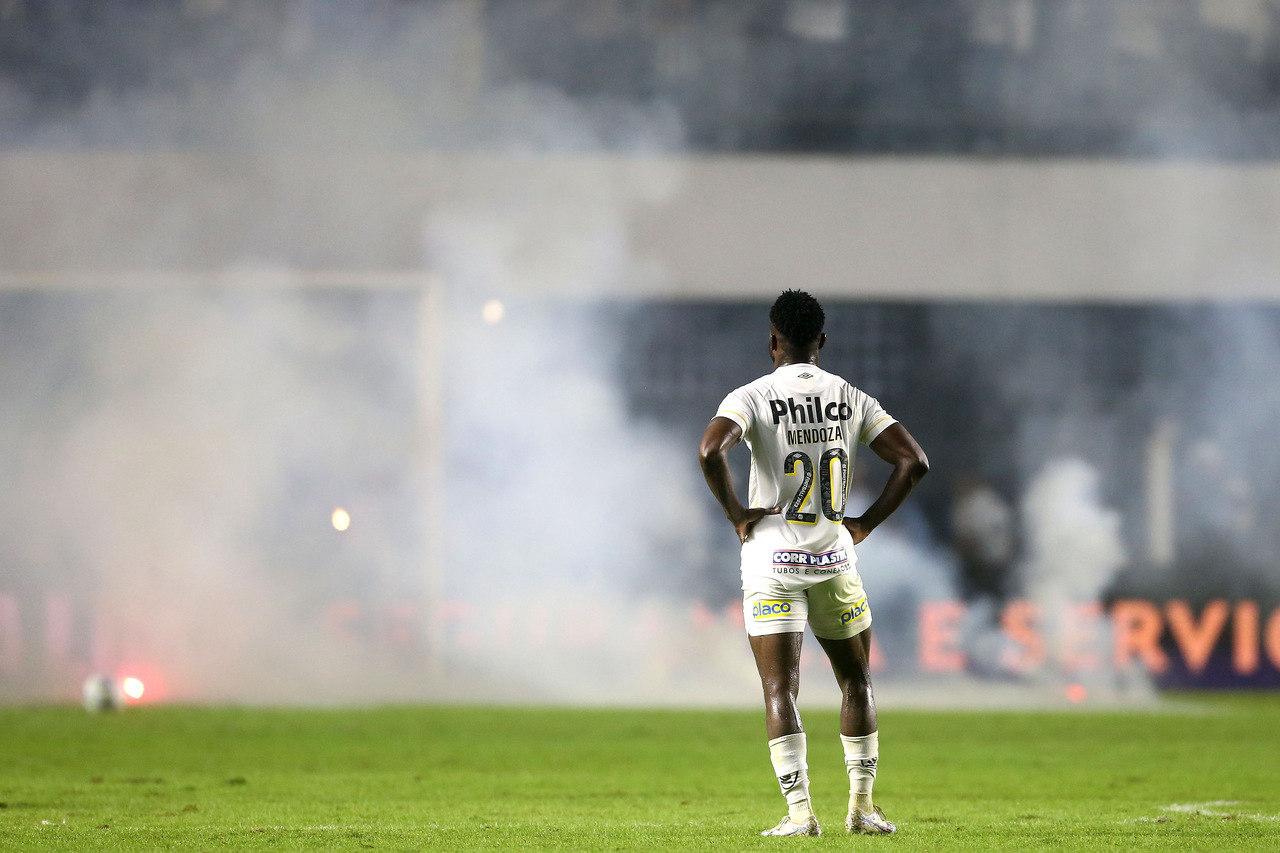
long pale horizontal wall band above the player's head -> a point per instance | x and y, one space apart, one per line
701 227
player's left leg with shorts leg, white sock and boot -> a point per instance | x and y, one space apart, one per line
774 624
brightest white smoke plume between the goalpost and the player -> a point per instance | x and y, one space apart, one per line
563 508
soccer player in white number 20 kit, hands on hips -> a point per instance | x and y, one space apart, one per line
803 426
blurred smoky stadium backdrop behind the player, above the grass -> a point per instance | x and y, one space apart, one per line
359 353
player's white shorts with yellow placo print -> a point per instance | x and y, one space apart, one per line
836 609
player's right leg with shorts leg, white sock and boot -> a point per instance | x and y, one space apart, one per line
842 622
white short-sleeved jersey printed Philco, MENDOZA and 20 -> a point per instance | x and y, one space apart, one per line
803 426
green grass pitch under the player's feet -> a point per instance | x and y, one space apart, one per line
474 778
